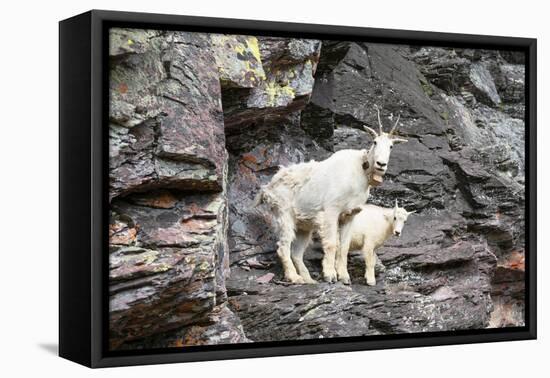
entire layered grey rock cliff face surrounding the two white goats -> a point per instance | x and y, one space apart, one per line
199 122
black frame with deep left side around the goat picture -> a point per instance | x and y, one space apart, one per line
83 181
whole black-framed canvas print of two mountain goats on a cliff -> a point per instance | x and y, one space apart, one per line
233 188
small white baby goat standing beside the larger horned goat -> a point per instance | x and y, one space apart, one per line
367 230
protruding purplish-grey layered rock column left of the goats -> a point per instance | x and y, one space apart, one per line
169 255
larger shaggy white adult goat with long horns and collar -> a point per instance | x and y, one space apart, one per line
310 196
